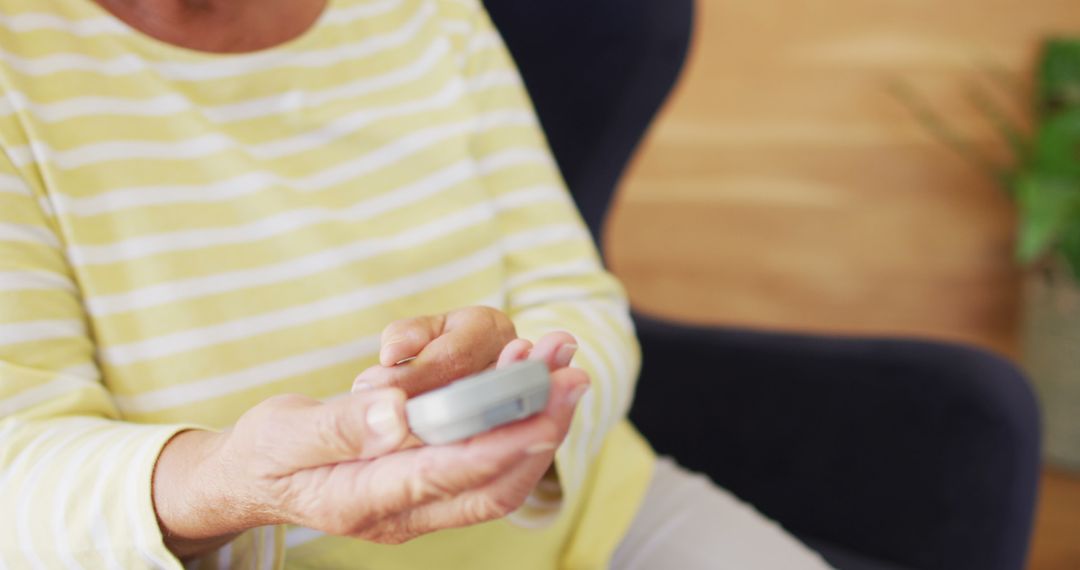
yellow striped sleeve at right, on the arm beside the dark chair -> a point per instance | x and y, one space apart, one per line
556 281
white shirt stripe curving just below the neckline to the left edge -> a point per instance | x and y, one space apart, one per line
236 66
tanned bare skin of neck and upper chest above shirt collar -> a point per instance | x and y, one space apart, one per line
221 26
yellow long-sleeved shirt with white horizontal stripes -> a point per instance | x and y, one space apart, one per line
184 235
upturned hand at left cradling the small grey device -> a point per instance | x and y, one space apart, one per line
337 467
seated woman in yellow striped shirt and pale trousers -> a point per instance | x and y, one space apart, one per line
210 210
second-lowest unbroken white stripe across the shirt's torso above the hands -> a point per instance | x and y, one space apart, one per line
290 270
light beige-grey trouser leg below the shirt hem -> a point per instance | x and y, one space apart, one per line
687 523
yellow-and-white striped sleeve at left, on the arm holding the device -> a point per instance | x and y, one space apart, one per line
75 479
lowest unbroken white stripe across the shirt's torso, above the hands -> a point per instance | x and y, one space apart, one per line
327 308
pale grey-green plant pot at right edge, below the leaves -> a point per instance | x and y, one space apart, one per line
1052 359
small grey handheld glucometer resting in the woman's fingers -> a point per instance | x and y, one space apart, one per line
480 403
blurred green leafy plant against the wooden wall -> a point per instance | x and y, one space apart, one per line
1043 175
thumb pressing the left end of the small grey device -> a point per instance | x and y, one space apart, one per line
359 426
